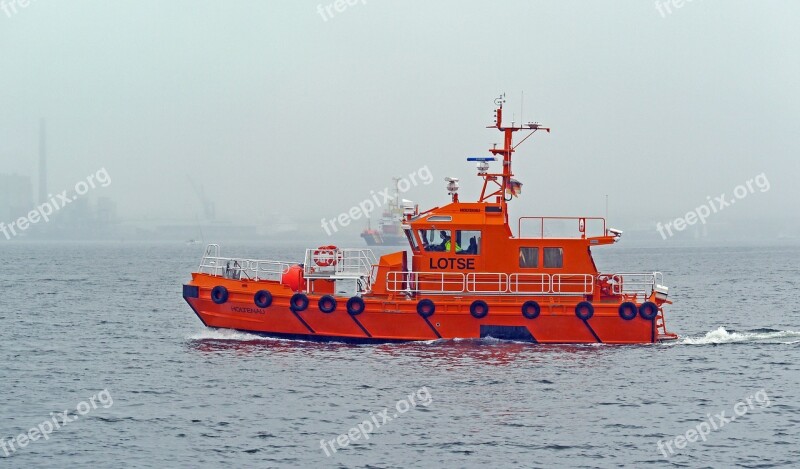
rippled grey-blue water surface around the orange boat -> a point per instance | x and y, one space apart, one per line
81 318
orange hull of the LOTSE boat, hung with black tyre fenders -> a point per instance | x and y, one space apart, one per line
390 320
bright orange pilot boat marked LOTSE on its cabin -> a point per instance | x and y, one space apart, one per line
469 276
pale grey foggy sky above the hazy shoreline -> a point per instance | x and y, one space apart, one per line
288 112
